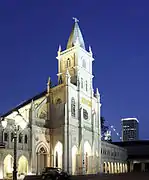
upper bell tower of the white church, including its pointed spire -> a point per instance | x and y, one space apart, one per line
76 59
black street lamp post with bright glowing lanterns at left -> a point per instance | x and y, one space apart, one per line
19 123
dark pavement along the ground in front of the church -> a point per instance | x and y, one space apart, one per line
126 176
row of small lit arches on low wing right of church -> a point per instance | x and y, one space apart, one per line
114 167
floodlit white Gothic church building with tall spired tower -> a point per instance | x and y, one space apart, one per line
63 122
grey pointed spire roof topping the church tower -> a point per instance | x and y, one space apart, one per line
75 36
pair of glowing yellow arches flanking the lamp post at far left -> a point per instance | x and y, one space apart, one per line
8 166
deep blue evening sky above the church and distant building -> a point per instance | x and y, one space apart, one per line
117 30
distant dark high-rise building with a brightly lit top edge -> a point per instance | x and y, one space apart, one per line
130 129
